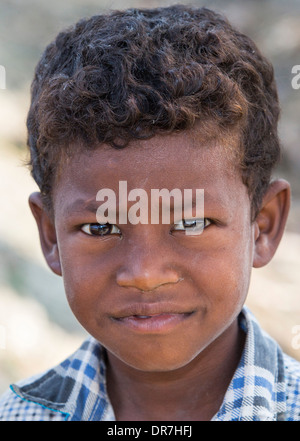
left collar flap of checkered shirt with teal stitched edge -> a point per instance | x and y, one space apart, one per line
76 388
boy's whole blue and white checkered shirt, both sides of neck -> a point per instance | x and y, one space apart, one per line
265 386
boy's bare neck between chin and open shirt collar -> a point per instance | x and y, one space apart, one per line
193 392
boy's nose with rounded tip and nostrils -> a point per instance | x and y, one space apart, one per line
146 269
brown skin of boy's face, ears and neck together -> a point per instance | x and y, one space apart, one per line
197 284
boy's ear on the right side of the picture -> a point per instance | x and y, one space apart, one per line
270 221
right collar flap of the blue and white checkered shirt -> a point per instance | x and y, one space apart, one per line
257 389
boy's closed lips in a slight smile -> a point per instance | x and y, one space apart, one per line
152 318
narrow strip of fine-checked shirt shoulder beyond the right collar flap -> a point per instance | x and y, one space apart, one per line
292 378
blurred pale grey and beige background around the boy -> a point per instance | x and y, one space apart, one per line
37 329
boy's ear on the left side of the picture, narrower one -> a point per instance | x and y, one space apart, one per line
47 232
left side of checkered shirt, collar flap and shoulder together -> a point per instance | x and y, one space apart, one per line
73 390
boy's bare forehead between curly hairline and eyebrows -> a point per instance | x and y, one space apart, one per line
181 154
